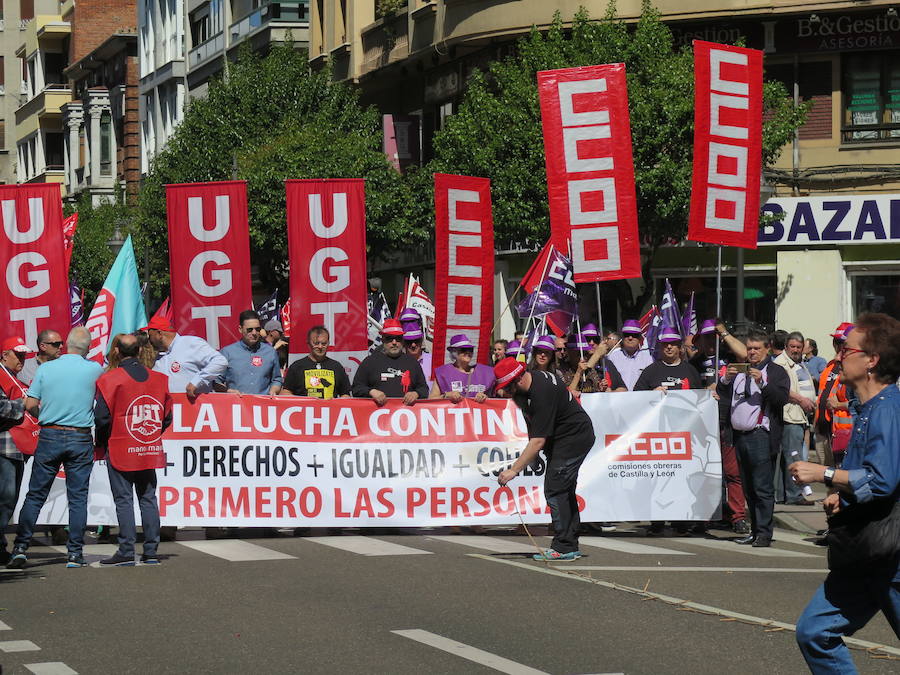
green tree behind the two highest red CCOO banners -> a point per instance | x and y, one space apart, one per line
497 131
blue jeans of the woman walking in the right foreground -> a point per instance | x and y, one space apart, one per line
842 605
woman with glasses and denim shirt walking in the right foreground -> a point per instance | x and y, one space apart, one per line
862 506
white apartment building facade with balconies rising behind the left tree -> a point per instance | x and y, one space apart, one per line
184 44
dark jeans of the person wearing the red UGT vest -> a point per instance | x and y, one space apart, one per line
123 485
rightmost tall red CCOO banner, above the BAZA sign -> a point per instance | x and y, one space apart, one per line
727 145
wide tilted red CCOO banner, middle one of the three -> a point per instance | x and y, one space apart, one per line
590 170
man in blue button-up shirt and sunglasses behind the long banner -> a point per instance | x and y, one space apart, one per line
253 366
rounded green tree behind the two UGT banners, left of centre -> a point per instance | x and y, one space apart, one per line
269 120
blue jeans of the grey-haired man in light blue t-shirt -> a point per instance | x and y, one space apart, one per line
75 451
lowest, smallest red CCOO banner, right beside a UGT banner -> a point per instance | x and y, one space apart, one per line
464 264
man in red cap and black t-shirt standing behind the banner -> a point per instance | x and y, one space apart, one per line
390 373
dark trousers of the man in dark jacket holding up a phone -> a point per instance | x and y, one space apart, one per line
757 477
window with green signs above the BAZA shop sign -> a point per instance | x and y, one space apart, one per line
871 85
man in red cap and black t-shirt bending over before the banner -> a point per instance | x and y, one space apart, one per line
559 426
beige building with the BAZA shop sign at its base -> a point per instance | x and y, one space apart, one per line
841 55
